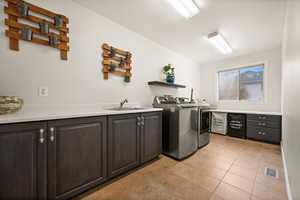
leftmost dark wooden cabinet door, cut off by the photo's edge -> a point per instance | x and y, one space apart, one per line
23 161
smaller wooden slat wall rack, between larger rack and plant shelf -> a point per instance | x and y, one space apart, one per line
117 62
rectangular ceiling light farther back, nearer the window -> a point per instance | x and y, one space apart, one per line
219 42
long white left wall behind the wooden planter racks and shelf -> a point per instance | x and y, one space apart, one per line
79 80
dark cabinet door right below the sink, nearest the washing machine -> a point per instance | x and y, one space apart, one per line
151 136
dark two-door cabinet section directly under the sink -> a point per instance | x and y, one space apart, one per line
132 140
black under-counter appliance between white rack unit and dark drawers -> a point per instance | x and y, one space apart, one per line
236 125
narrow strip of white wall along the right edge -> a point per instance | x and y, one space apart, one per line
291 96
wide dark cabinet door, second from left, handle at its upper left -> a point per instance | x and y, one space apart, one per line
76 156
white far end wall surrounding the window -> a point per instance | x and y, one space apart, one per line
272 103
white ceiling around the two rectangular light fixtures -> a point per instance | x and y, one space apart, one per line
248 25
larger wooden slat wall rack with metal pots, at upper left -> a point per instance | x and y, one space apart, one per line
18 9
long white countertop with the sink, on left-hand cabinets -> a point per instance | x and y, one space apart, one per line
42 114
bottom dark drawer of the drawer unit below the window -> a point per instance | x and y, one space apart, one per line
264 134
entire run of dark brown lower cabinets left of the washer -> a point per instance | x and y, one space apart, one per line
61 158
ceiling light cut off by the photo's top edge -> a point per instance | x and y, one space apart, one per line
187 8
